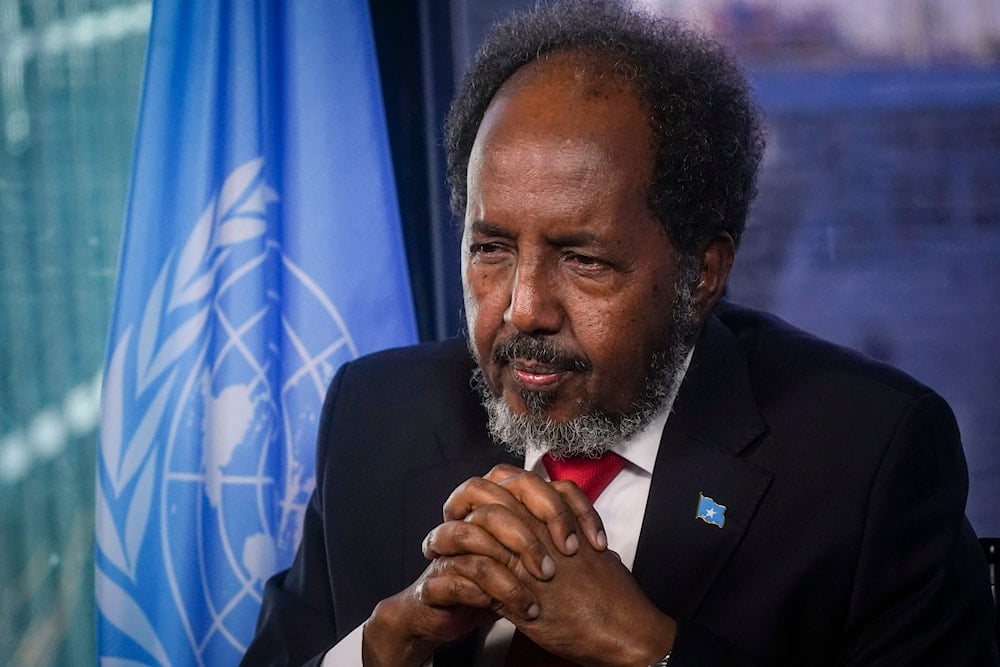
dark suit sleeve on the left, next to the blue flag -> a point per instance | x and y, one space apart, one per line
296 625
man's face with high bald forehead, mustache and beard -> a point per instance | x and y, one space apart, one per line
569 280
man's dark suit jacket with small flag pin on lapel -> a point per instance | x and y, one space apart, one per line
845 540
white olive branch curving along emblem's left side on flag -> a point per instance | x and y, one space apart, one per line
234 216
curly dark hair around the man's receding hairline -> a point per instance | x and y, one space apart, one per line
707 131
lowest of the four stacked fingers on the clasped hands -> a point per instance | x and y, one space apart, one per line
476 581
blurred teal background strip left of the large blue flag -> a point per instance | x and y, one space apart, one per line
69 89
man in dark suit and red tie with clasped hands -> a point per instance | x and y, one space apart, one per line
772 499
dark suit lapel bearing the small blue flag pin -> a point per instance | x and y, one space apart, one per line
714 419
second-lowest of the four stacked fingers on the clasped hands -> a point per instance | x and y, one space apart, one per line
496 532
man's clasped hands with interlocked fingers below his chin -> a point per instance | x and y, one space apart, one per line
534 552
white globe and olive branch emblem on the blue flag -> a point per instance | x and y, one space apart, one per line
210 412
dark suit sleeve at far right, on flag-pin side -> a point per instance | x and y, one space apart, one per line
920 594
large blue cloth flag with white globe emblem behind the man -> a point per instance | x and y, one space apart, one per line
262 249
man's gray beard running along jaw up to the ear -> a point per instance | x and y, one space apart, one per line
593 434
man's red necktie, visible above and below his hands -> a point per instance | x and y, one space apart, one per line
592 476
